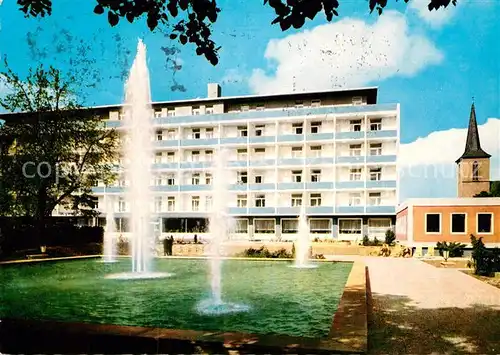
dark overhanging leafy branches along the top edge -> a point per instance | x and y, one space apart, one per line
199 15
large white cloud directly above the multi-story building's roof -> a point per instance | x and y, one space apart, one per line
347 53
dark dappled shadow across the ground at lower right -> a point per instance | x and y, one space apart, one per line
397 326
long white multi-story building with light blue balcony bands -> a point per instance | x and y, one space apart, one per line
334 151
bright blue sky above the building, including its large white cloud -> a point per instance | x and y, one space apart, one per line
432 64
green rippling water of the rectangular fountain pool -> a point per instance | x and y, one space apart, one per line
282 300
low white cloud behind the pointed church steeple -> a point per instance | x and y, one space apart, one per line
427 166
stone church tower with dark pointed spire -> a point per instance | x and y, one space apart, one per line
474 164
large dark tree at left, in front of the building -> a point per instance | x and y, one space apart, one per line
52 150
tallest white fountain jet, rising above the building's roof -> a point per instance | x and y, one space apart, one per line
139 151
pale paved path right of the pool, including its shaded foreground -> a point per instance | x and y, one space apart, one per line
420 309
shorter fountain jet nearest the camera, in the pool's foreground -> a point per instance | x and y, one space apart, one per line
219 229
